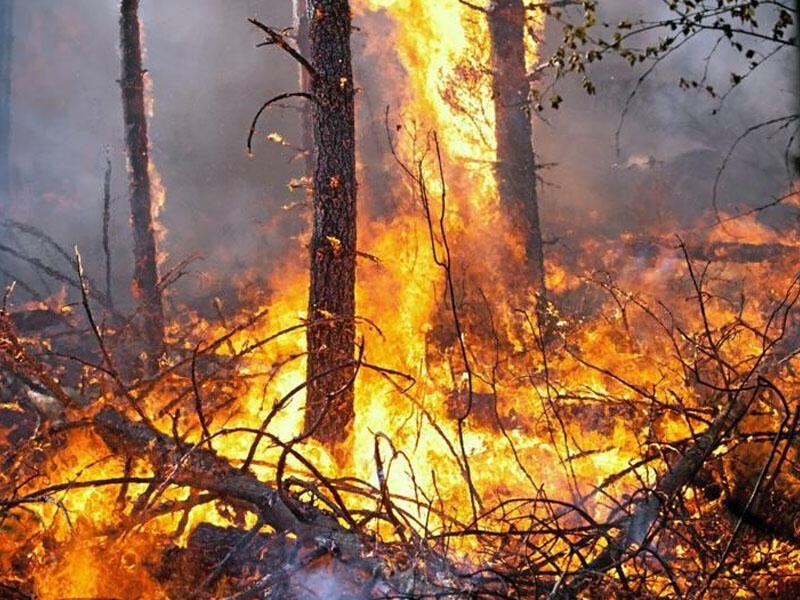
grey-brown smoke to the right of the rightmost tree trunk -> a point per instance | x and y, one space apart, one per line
647 152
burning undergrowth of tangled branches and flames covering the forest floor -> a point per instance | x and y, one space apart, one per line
627 444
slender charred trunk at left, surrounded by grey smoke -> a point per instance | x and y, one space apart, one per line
145 274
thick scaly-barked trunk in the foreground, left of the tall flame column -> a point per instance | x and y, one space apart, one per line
331 304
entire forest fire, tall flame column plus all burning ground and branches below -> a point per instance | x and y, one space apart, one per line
628 431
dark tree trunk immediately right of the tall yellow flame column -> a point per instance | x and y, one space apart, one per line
515 168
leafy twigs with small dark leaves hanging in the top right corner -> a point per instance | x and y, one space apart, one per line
757 31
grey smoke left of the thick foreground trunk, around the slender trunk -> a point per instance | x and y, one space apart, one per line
208 80
